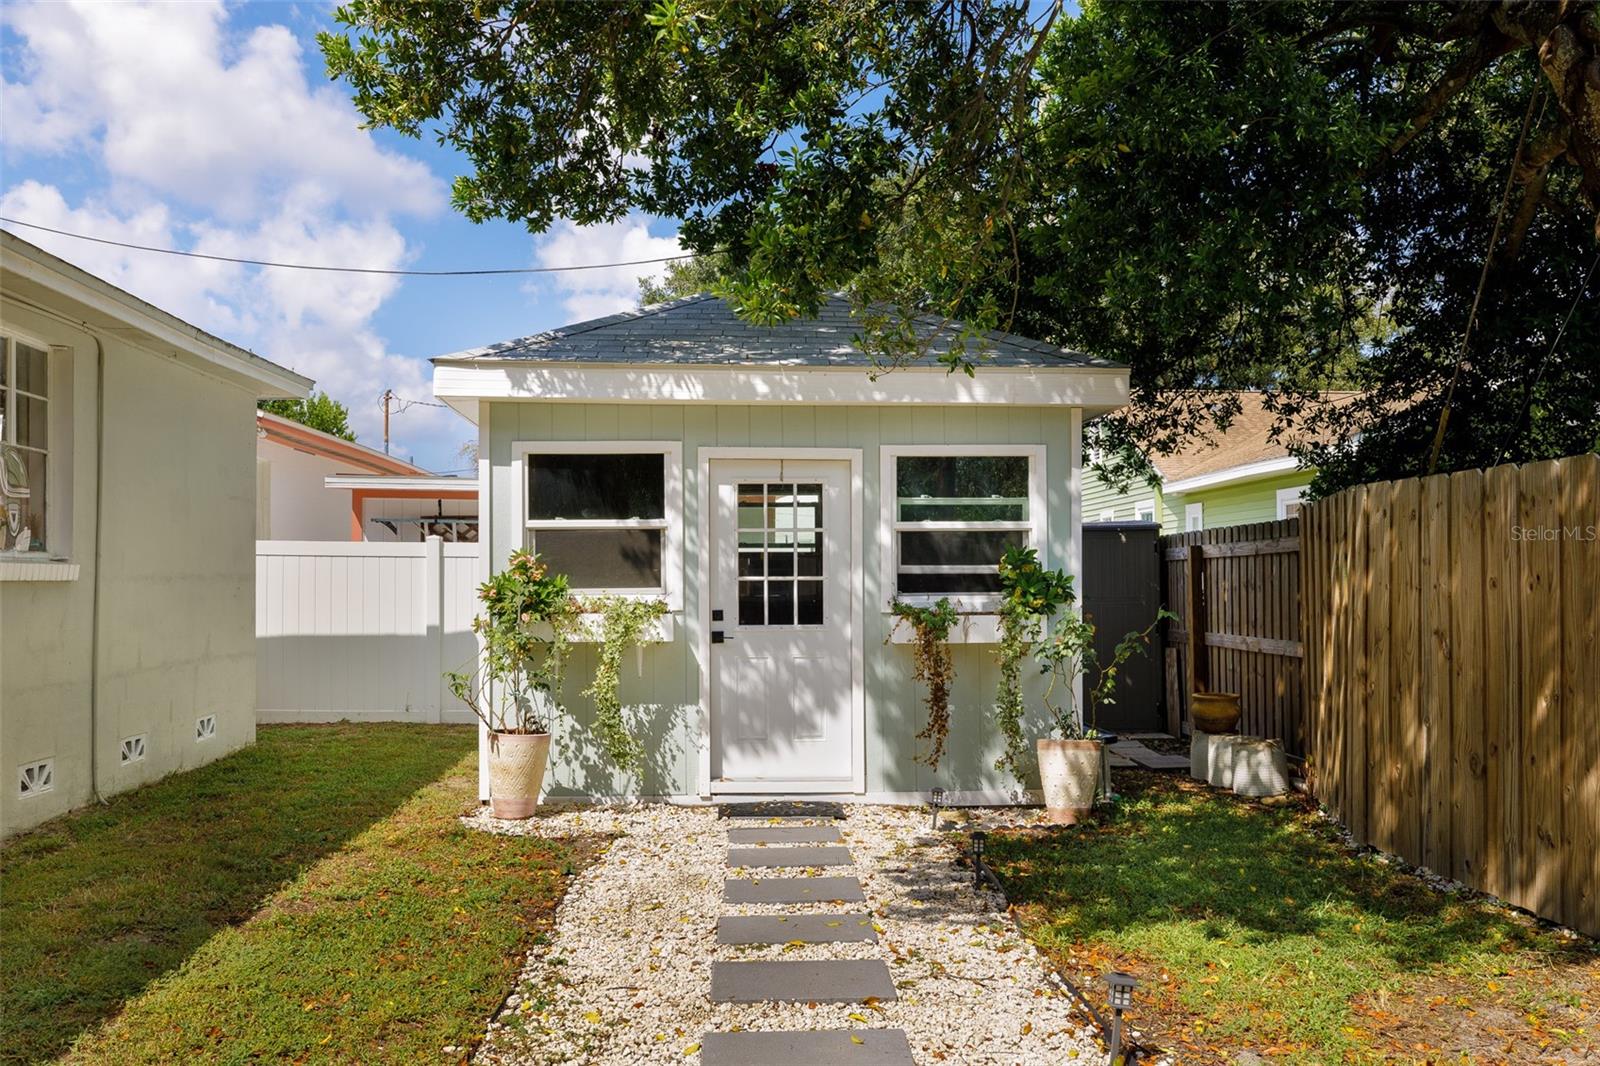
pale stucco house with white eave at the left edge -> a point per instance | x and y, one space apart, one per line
127 627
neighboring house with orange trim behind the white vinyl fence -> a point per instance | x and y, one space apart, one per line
318 487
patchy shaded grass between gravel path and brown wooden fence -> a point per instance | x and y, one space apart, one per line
1254 928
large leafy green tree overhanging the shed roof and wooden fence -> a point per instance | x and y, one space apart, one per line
1220 194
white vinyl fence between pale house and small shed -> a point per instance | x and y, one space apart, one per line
362 631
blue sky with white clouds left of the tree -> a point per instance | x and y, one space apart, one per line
214 142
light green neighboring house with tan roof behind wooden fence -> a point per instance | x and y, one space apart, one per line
1225 479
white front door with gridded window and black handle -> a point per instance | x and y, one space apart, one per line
782 625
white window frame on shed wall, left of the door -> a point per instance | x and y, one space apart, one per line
671 526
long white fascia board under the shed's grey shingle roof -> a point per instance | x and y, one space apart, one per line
1094 388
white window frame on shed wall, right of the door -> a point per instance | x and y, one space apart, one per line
890 527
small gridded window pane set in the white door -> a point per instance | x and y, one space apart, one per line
780 555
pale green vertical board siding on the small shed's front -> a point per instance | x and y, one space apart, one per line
665 702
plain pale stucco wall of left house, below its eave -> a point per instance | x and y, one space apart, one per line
175 638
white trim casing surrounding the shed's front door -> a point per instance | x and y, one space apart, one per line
700 625
